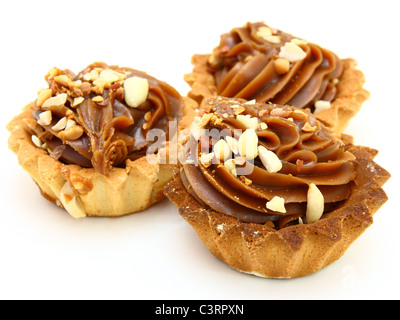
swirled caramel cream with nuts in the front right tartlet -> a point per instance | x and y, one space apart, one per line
289 153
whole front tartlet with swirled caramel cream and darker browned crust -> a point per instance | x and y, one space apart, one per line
273 192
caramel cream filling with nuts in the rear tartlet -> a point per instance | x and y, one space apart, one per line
258 62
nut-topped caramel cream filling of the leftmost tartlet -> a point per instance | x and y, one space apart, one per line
92 120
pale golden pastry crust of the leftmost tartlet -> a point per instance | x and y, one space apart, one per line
84 191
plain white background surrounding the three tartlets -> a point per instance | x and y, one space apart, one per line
46 254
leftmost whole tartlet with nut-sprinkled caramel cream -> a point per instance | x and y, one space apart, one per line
84 139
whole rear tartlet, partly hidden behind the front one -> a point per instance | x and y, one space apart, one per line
258 62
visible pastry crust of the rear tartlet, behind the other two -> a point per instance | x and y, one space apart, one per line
347 103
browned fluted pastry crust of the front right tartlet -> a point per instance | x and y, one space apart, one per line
293 251
